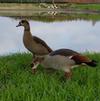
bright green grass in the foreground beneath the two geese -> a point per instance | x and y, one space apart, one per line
17 83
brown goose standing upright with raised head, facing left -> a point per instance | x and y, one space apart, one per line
34 44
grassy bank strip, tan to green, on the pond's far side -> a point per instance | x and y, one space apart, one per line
42 6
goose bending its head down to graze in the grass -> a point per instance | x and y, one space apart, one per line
65 60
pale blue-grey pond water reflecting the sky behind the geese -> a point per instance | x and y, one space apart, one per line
80 35
